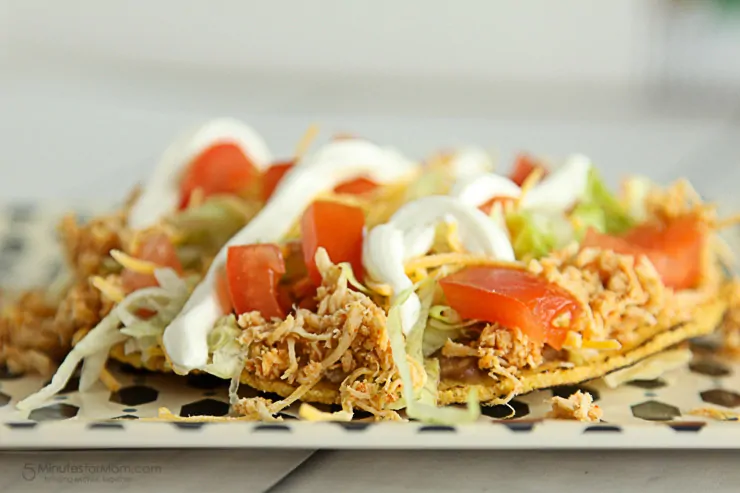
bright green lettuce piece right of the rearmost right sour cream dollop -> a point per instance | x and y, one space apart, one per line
600 209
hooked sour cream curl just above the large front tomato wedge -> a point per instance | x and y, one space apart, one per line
410 233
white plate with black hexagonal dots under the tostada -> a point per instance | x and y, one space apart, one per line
640 414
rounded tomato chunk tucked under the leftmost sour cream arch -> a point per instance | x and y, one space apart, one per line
220 169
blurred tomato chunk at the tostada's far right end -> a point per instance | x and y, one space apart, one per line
675 248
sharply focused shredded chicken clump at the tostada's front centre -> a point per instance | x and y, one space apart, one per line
344 340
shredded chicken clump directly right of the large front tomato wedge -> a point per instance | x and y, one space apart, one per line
618 292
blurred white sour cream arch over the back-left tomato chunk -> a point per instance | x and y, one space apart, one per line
161 192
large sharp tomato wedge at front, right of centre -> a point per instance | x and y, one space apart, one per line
513 298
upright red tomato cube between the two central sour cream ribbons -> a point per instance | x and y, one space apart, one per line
336 227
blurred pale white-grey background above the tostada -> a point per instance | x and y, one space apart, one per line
93 91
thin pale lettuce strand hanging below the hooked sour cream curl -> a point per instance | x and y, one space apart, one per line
415 407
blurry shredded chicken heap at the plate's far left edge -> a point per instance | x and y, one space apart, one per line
35 335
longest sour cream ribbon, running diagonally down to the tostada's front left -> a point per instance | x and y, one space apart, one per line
185 339
